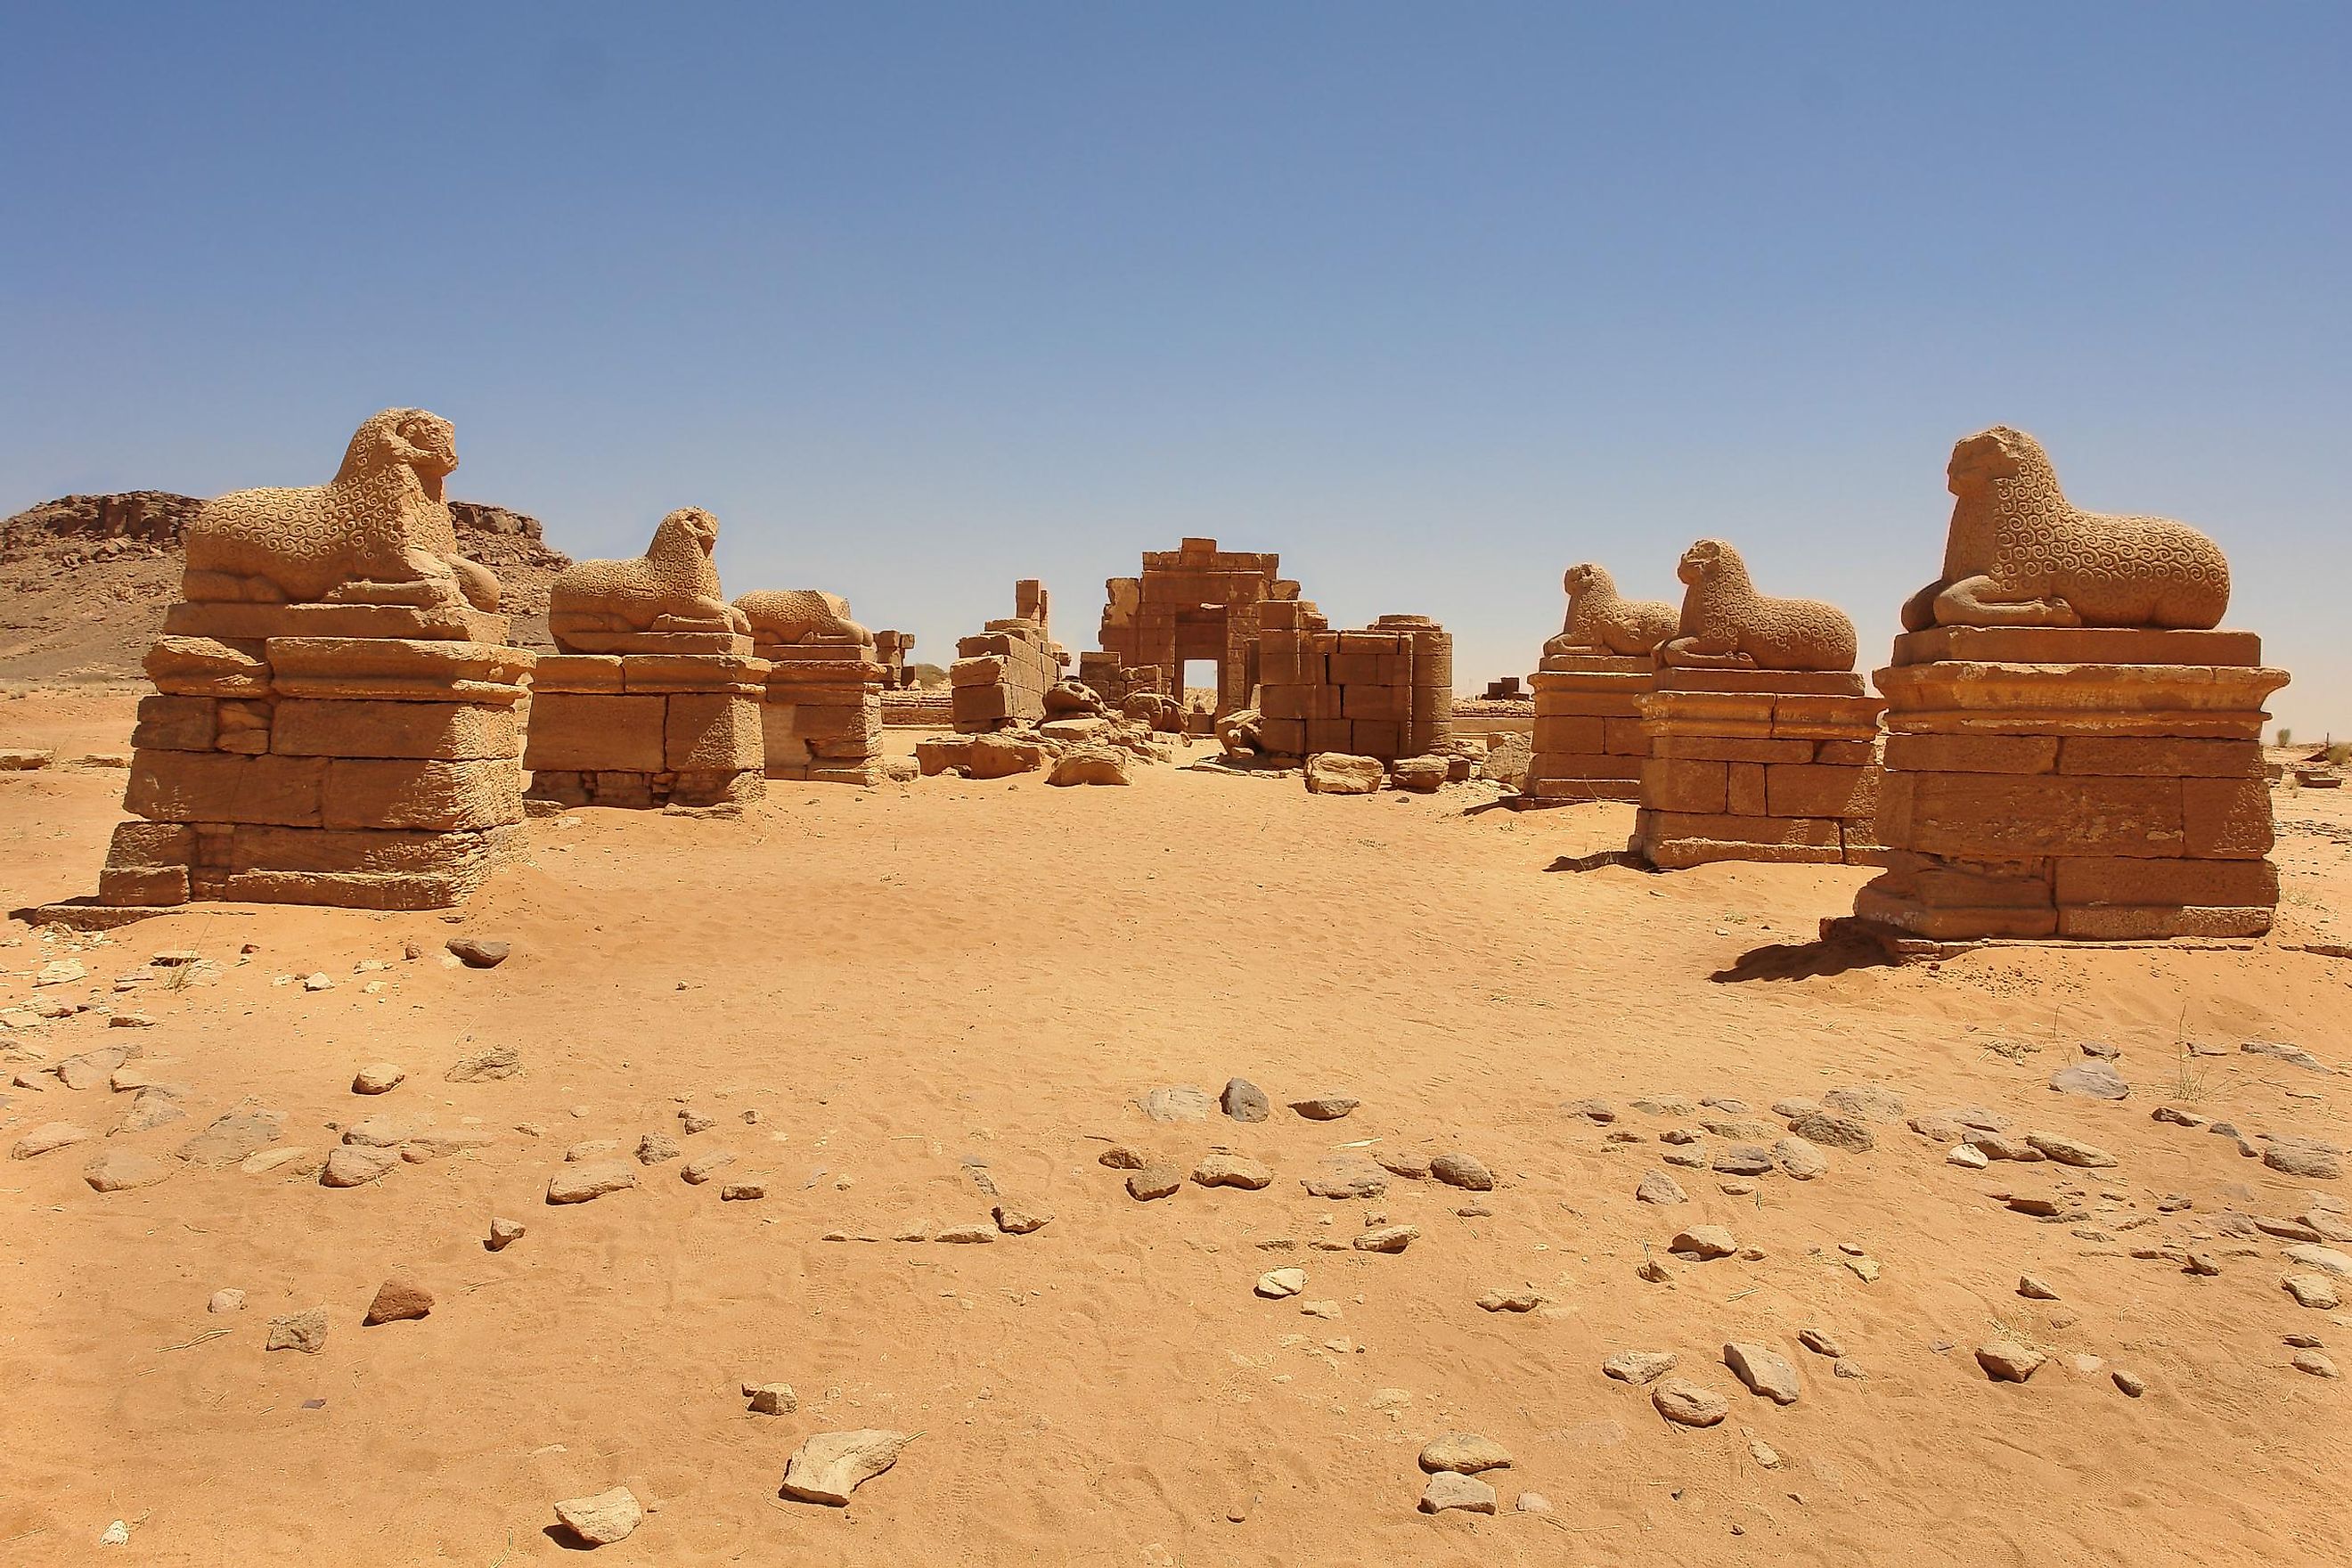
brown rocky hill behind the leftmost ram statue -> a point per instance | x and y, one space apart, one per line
86 579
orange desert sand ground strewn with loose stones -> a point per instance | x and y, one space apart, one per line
897 1000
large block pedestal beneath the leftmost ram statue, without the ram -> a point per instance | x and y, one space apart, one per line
354 756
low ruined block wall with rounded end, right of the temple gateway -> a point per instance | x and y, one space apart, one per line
1382 692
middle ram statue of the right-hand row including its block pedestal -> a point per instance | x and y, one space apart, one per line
1760 732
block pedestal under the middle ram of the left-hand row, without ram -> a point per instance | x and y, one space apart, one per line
650 730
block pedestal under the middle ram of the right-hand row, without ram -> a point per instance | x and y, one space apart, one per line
1758 765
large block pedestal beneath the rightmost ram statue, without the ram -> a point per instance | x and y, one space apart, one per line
2076 784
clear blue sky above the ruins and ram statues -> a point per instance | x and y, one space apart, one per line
1434 300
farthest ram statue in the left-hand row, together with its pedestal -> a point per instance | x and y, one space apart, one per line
822 711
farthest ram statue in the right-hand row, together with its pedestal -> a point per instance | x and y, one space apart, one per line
1589 737
